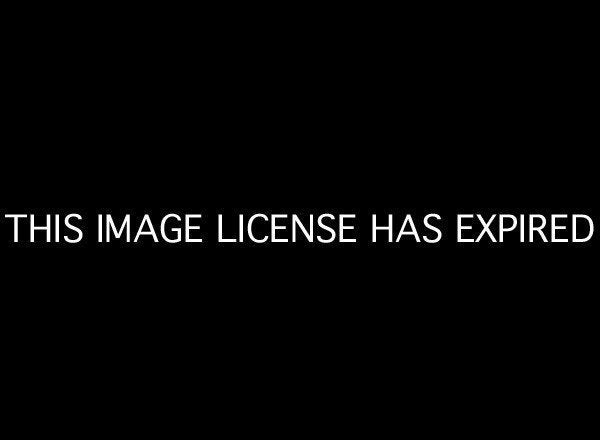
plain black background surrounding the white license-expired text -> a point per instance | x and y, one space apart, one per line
368 113
